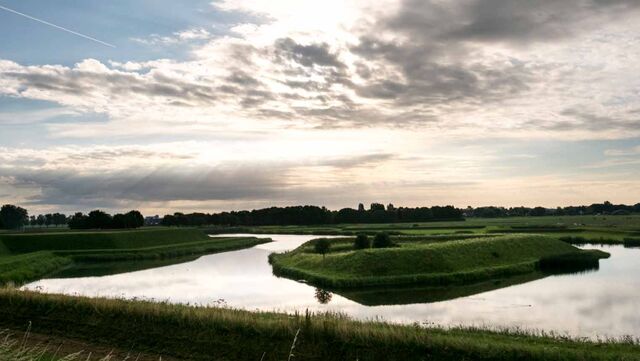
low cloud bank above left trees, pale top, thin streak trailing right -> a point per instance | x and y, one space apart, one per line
116 176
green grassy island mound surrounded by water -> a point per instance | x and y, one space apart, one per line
435 263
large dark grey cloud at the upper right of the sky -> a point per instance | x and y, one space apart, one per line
437 58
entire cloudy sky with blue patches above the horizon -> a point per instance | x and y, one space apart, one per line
241 104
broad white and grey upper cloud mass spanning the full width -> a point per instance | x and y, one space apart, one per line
481 66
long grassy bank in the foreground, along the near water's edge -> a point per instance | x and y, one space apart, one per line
227 334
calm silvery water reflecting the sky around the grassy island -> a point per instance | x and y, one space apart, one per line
602 303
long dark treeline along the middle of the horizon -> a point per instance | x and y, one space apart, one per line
313 215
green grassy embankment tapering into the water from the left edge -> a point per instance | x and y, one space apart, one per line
25 257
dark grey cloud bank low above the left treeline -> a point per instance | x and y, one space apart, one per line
70 187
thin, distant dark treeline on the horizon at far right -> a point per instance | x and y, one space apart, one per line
606 208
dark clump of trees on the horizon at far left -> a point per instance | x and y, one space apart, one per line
14 217
